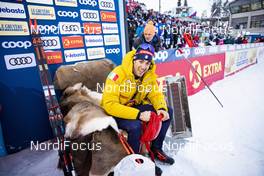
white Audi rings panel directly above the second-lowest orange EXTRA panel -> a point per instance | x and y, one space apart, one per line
69 28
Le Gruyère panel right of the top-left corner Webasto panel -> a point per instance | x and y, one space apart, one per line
41 12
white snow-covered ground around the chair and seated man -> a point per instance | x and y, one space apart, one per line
226 141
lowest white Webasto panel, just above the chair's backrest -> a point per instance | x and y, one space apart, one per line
74 55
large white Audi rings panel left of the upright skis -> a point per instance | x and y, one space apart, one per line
17 61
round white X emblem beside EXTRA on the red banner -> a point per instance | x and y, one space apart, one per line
195 80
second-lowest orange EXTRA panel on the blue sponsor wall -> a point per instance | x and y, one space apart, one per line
72 42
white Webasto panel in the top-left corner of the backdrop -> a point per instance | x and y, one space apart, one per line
12 10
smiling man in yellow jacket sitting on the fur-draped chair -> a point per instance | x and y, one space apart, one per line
131 93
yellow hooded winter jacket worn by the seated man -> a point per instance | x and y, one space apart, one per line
122 90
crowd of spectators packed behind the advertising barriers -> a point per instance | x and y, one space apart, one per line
171 32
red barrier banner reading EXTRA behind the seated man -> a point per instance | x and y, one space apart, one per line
211 68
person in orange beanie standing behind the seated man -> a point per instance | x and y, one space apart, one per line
149 37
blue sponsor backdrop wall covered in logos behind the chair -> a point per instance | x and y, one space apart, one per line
72 31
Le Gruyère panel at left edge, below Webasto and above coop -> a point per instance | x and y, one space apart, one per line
13 28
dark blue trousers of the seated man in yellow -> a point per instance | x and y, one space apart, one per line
134 127
